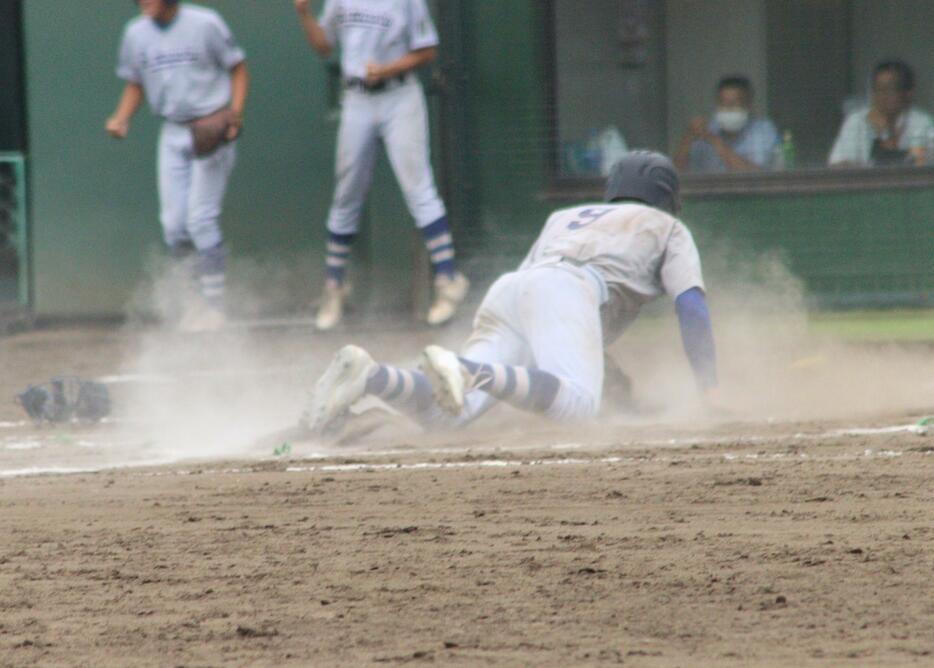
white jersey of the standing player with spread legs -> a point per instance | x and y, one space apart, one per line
376 31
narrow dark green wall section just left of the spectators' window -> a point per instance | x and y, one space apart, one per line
507 116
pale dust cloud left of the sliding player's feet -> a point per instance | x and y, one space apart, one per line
204 396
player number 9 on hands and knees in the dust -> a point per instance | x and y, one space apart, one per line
540 333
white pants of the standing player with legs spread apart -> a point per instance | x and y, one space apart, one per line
398 116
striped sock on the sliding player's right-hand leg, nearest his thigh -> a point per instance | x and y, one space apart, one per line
522 387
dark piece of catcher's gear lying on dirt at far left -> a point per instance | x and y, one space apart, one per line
65 399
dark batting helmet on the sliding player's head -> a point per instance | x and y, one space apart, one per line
645 176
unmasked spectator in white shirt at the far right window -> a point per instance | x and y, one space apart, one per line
890 131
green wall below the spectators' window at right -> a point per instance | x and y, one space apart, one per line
867 248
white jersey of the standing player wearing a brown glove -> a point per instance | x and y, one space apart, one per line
184 67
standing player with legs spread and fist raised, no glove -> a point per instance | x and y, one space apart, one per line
382 43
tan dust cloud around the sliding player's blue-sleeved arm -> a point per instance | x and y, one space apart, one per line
773 366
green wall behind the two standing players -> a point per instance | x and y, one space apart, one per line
94 215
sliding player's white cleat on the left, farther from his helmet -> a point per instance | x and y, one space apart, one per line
341 385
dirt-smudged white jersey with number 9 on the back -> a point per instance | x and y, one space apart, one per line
639 252
